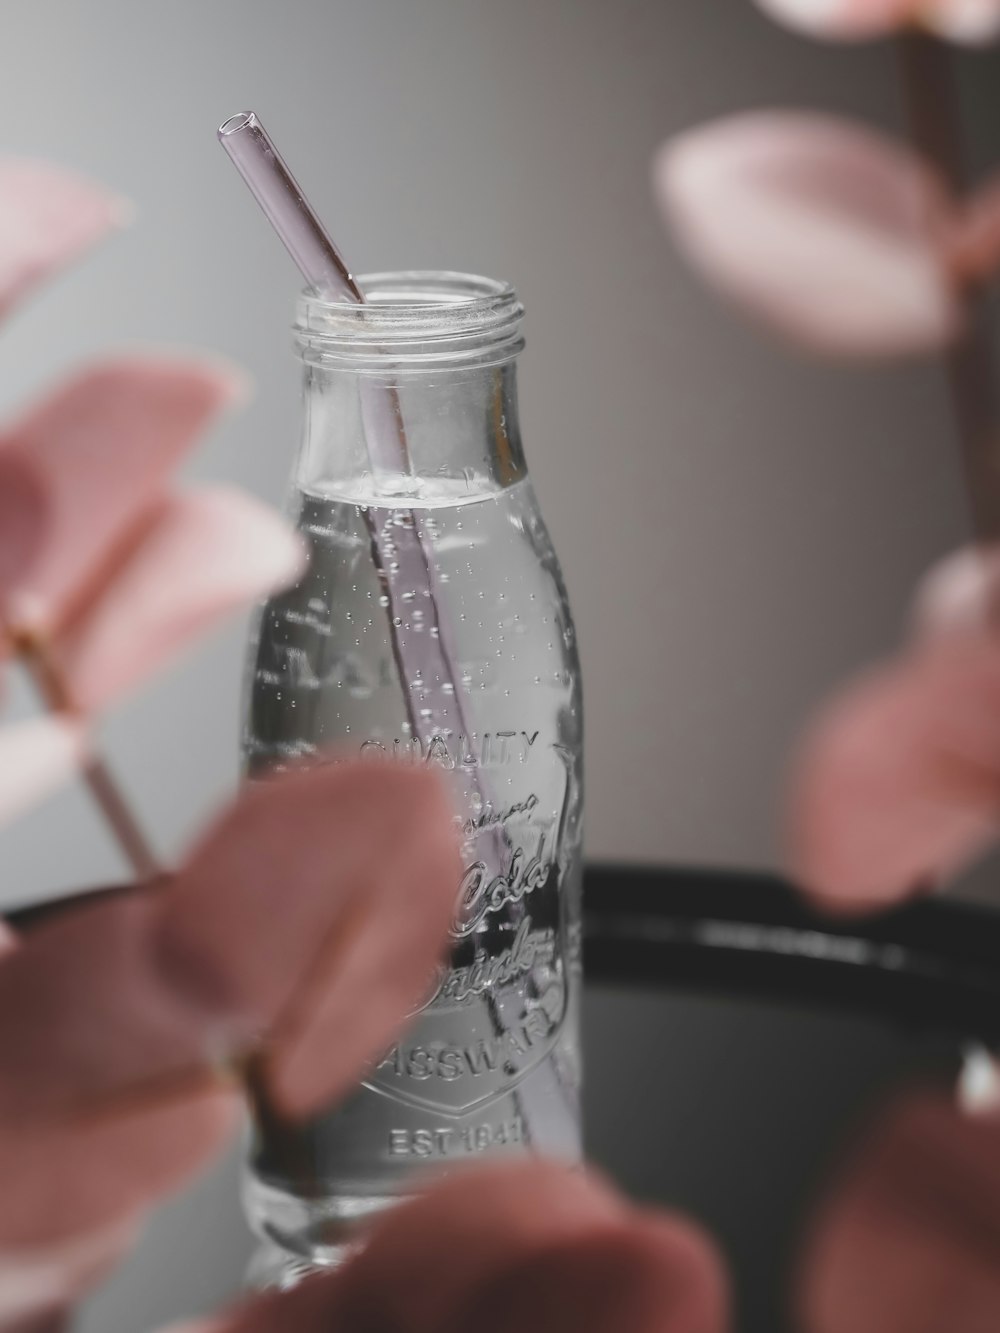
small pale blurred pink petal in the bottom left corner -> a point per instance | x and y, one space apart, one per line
38 1280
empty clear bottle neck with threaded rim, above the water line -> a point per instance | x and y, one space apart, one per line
413 394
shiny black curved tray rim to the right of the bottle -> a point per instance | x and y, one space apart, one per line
933 966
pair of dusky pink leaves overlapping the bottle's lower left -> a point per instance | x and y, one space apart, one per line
325 896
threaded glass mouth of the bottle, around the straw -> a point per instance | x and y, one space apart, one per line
414 318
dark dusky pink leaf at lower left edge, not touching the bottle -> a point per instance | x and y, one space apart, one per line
82 1144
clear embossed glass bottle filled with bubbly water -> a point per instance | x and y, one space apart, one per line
431 566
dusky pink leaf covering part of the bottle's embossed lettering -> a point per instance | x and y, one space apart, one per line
374 863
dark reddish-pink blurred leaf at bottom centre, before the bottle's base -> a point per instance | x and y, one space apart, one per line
506 1248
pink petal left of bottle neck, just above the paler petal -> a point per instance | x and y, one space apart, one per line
103 449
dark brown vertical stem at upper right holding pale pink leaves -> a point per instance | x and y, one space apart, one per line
931 106
